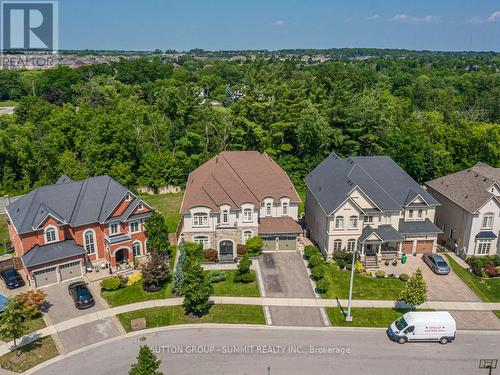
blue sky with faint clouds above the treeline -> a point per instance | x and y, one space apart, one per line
256 24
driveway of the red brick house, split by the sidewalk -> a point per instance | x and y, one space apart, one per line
61 308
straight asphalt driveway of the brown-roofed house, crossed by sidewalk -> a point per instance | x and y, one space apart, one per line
284 275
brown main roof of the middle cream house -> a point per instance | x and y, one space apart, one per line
237 177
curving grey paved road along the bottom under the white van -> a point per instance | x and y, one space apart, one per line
370 352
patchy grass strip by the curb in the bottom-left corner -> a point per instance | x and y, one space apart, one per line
32 354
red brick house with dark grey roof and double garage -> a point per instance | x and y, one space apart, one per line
58 230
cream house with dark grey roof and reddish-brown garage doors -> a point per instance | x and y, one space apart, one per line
369 204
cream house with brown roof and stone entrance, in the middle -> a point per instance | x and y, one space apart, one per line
237 195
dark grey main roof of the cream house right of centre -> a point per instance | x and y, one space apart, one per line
379 177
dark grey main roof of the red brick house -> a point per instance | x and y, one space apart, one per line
73 202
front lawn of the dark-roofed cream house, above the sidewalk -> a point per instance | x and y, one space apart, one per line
364 287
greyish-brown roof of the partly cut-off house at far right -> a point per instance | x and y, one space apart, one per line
468 188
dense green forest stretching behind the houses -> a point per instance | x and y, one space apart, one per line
147 122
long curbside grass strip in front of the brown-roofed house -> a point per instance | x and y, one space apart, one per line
165 316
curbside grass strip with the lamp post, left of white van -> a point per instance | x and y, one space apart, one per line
364 317
